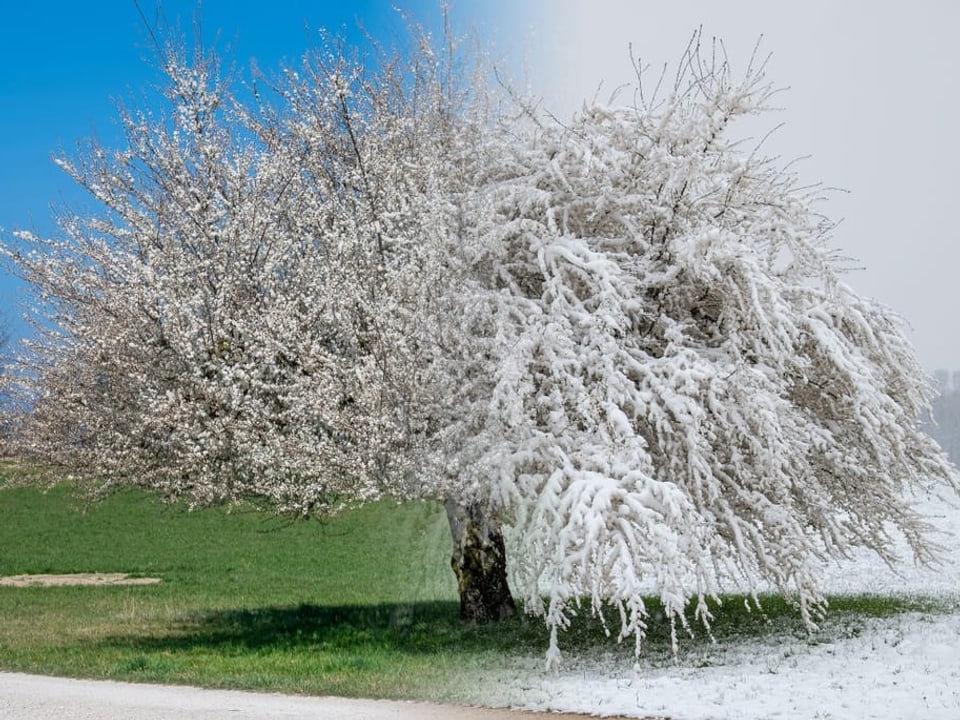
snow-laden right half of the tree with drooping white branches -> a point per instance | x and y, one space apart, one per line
687 398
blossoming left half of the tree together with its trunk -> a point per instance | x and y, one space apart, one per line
255 315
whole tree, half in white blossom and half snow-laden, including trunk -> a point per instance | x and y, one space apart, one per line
624 337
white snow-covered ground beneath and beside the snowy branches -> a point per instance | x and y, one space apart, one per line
900 668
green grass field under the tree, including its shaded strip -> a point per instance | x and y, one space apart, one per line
362 605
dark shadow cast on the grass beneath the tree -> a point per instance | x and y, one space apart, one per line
435 627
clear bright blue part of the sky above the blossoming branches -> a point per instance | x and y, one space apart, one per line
66 64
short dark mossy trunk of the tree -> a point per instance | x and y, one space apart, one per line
480 564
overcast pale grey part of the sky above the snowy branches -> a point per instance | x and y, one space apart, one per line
872 98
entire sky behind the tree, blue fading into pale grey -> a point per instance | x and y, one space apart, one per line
871 99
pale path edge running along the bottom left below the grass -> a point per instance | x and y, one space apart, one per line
33 697
